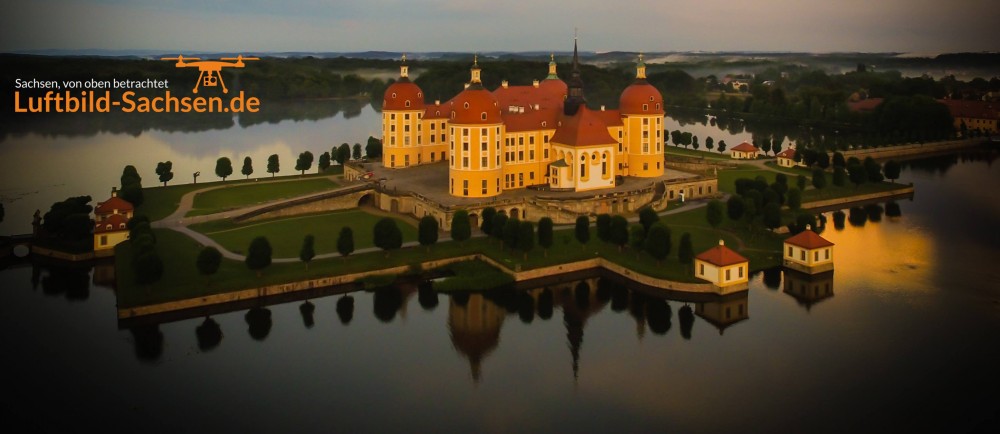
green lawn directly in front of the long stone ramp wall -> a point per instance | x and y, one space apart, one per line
286 234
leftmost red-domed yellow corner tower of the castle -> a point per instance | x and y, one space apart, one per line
402 110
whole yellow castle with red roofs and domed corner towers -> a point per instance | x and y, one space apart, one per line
520 136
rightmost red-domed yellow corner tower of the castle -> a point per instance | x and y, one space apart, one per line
641 107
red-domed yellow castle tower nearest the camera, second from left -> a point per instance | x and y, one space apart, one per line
476 131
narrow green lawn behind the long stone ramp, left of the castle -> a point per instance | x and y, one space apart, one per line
239 195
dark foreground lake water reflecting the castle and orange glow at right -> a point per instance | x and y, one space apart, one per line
904 335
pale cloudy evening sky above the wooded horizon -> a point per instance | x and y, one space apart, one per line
256 26
